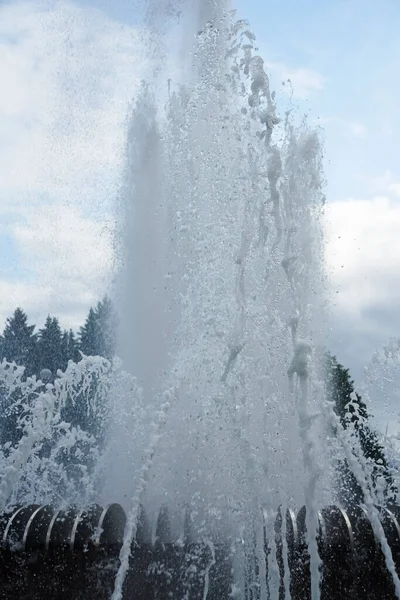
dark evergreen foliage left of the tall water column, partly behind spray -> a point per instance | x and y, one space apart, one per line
51 348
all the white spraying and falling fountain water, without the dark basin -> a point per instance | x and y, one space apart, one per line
221 291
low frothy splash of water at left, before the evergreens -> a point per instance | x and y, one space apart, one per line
56 447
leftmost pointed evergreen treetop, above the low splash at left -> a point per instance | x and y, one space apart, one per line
19 341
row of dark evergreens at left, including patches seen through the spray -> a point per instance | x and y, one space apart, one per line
51 348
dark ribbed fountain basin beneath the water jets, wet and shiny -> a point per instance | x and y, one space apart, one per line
50 553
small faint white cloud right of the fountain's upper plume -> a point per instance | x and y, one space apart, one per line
300 80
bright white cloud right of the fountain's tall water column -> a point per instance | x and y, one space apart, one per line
363 255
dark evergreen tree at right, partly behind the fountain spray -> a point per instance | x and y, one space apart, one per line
353 413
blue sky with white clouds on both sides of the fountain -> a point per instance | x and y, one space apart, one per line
68 73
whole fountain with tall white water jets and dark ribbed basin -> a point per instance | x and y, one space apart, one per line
216 458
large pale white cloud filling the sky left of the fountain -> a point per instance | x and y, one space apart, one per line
68 74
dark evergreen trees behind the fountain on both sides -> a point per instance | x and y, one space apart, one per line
51 348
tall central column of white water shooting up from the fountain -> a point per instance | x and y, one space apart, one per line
222 253
